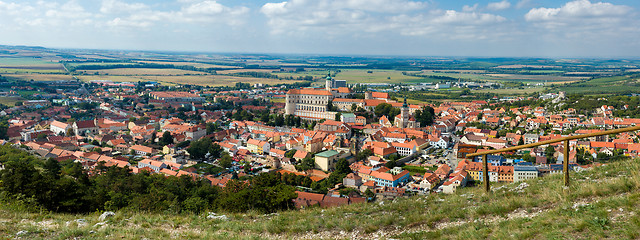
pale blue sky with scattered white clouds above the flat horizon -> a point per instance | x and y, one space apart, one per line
502 28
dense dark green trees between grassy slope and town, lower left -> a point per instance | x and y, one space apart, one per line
68 187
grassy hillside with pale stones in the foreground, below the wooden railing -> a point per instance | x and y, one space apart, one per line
601 203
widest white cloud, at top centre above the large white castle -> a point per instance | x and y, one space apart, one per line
357 18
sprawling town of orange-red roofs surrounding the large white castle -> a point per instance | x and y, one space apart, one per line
342 146
